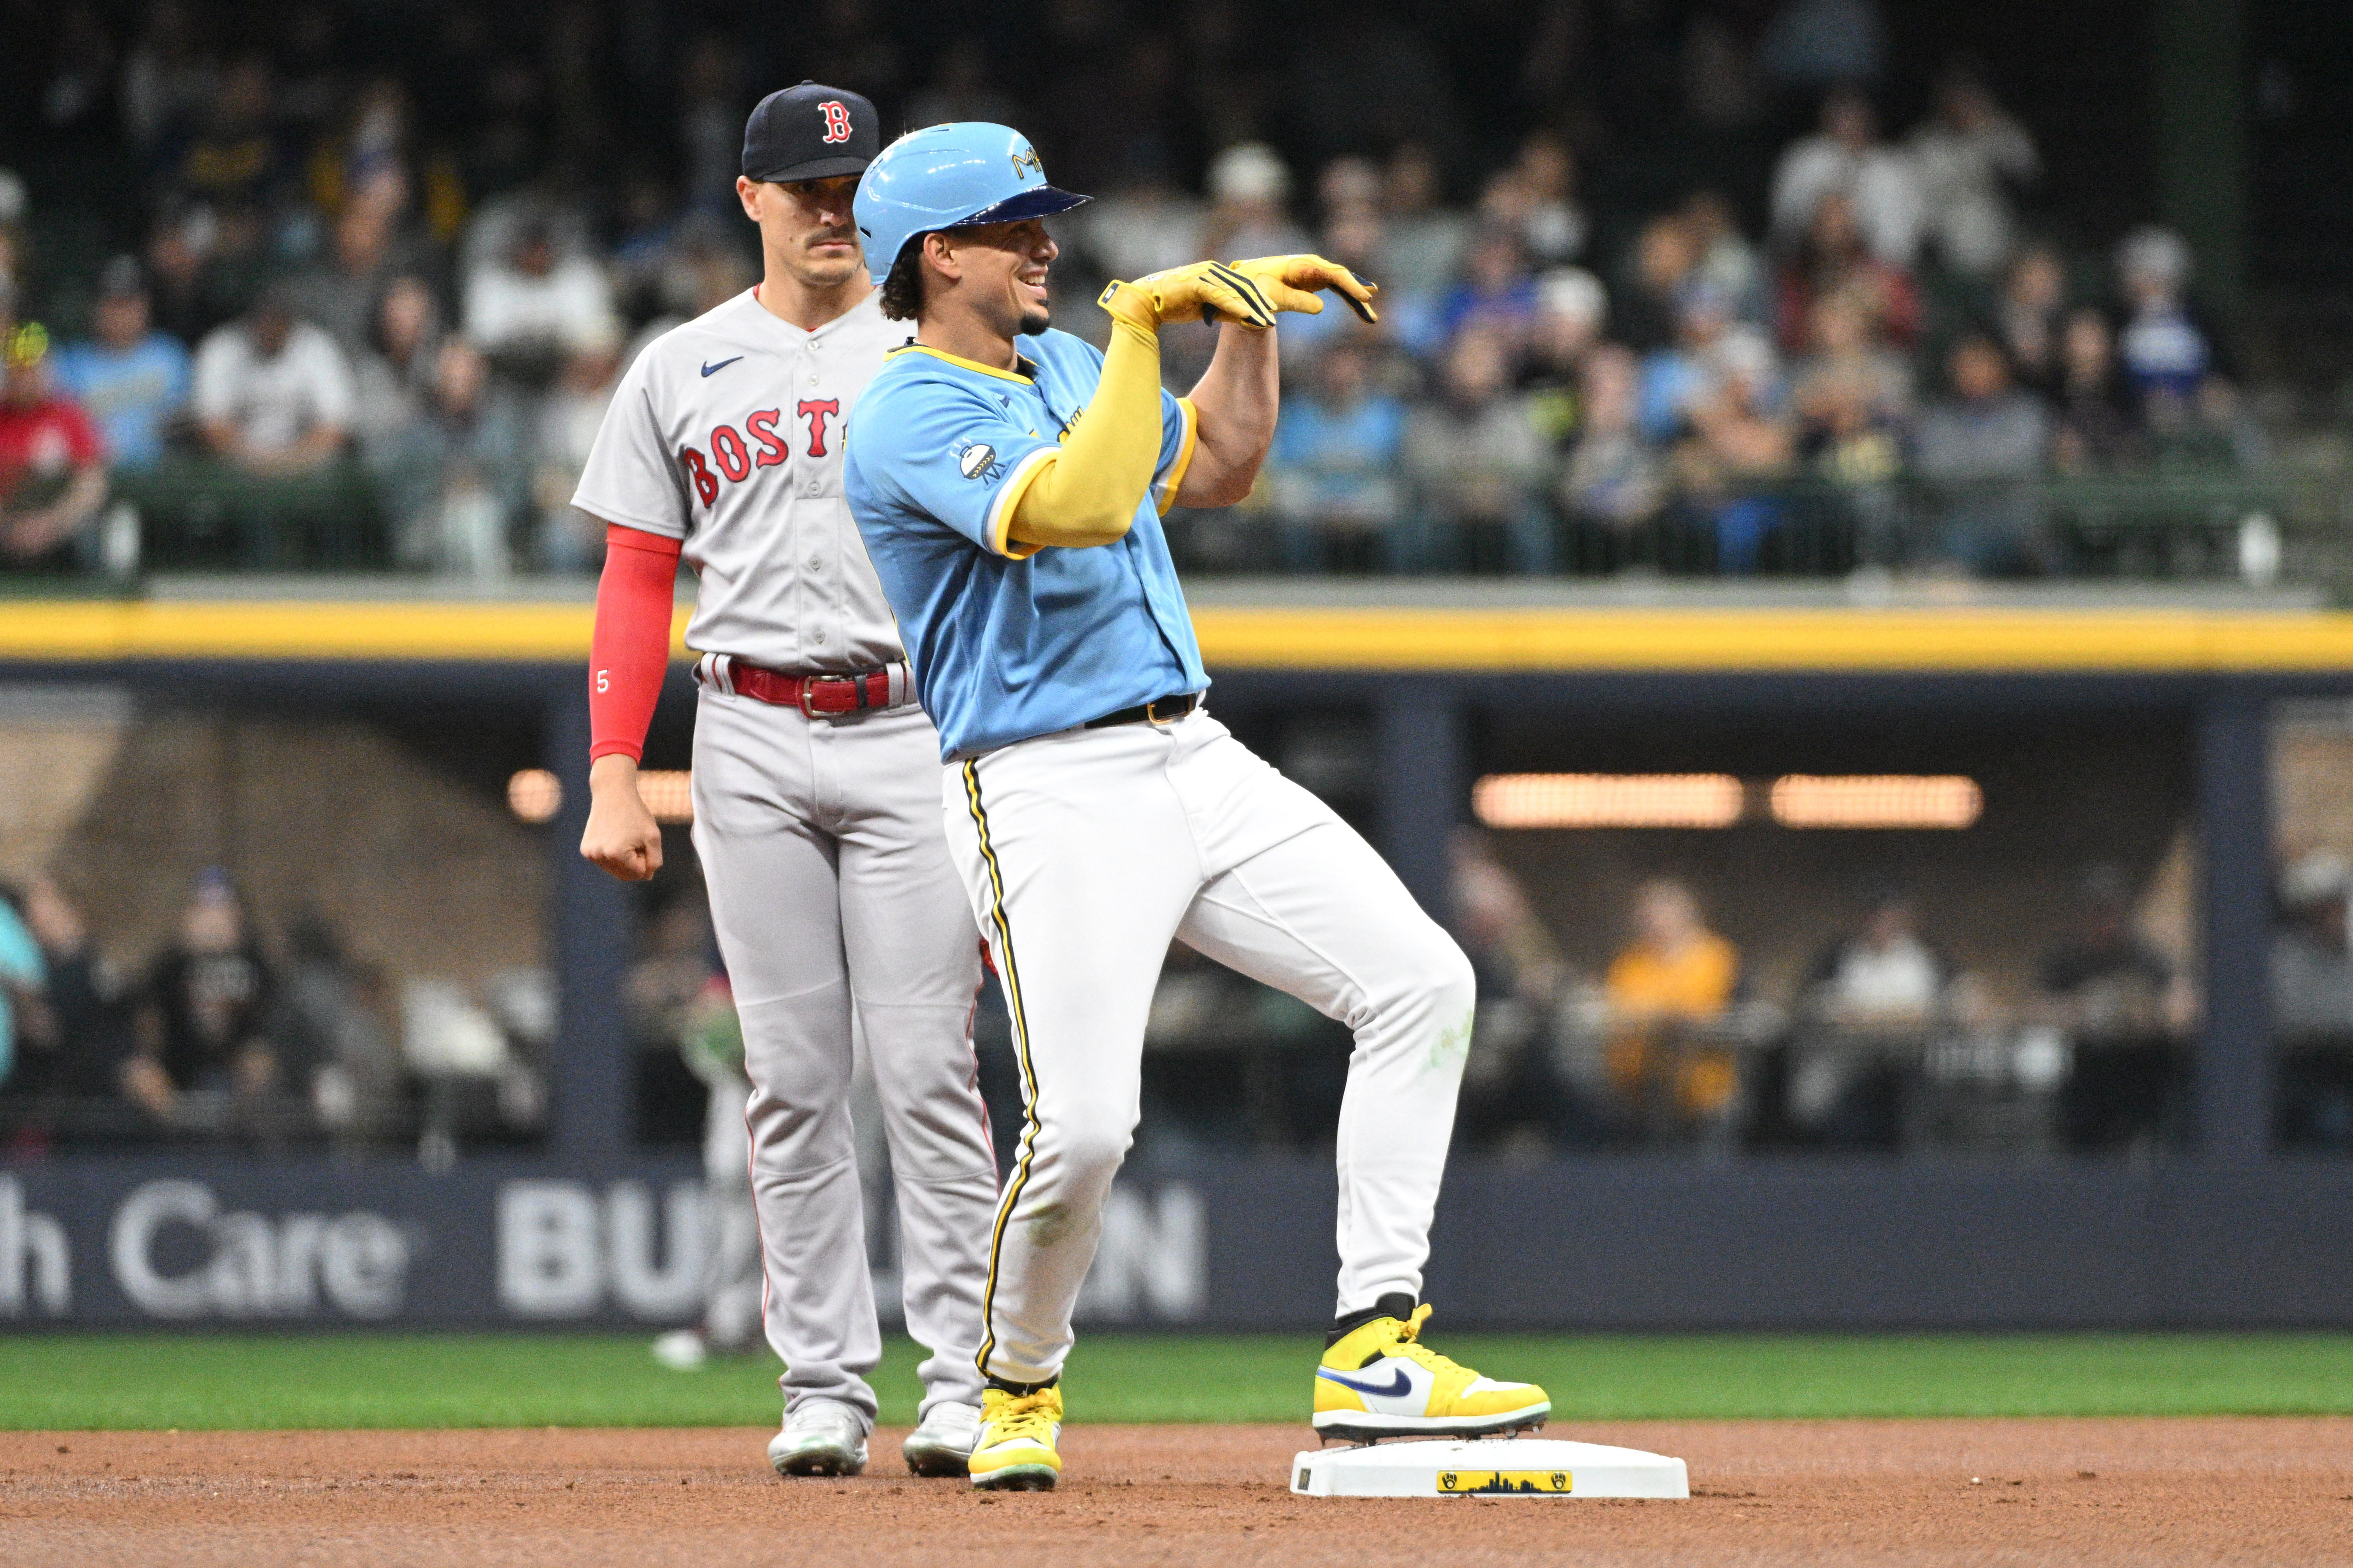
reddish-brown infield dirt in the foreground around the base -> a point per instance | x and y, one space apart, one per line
1902 1494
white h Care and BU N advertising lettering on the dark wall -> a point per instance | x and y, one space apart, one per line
349 1244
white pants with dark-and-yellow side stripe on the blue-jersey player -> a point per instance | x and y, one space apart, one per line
1084 856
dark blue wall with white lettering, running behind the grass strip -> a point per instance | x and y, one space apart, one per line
1218 1244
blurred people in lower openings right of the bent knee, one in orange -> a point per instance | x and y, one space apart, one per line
1884 1042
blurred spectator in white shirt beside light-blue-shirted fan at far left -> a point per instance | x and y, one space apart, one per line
274 394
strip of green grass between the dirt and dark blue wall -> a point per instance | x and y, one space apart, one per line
601 1381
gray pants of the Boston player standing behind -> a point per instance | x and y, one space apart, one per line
834 898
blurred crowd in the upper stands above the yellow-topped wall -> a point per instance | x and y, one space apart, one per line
368 319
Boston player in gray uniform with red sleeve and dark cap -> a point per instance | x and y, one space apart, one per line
815 790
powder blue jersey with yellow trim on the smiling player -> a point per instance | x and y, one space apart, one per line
1011 642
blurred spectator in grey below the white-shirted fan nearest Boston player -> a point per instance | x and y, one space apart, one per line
458 477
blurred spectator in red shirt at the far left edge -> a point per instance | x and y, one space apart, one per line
53 460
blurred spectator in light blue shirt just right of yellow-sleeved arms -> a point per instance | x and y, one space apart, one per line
1333 467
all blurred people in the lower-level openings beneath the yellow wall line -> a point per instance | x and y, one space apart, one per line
1879 1044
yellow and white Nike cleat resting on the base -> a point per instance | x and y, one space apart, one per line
1380 1381
